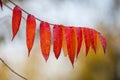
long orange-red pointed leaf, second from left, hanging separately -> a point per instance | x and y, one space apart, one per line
30 32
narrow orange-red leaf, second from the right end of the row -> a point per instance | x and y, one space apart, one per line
94 39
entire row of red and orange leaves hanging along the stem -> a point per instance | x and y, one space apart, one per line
68 38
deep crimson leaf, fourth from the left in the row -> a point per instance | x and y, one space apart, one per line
57 40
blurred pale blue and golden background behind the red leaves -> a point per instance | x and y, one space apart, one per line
102 15
